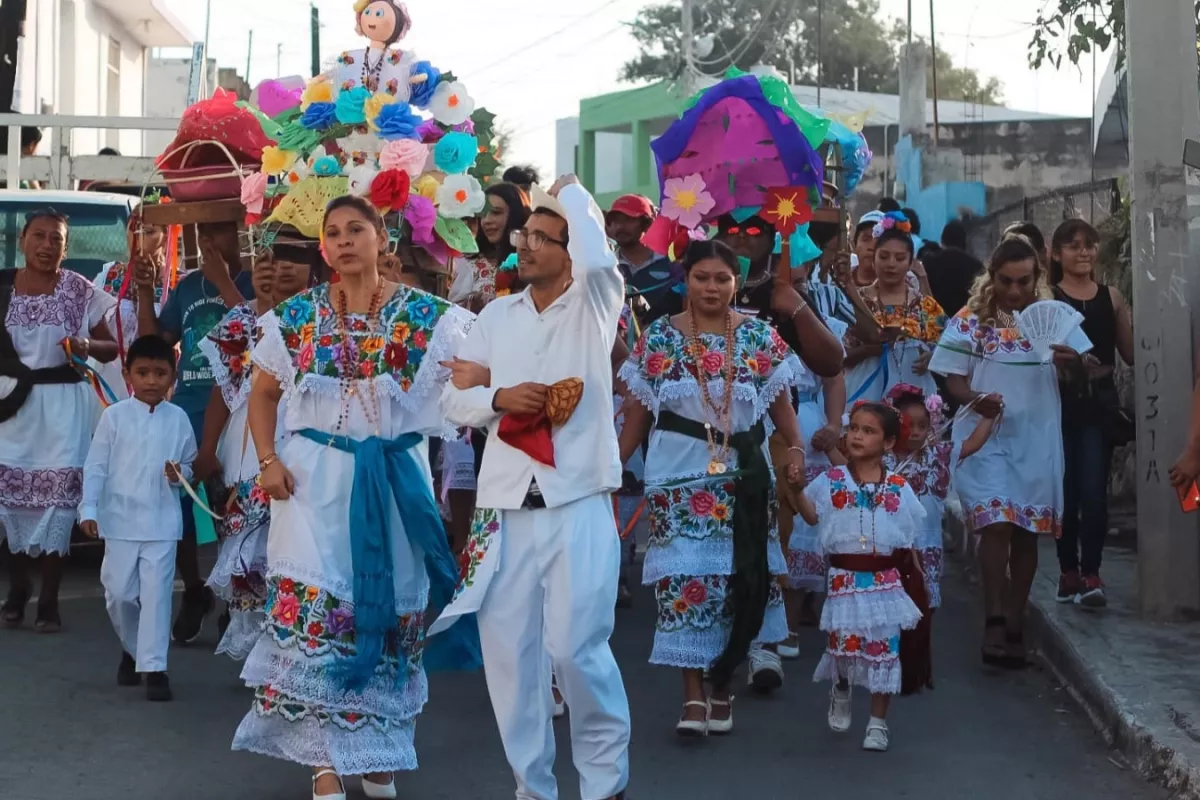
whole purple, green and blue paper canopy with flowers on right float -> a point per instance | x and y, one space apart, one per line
747 148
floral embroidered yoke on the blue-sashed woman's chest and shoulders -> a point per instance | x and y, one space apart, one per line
309 326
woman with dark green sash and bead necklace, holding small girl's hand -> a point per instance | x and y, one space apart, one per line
709 483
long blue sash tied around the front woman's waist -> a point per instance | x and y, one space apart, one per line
385 471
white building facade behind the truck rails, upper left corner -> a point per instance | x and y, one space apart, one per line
92 58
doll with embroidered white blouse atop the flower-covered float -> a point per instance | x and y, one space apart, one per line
381 67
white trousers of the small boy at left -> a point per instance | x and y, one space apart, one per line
140 580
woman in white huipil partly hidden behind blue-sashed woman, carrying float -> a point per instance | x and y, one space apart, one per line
239 575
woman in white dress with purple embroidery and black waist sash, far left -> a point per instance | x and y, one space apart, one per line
47 412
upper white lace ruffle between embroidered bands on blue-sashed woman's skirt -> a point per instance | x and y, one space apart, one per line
310 681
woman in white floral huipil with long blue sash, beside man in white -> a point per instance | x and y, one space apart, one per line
356 551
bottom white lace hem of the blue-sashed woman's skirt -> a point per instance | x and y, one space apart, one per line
311 744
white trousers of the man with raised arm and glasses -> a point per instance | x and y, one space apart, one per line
555 593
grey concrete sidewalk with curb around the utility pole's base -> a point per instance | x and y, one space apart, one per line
1138 681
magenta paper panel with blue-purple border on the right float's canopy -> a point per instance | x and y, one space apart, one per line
740 145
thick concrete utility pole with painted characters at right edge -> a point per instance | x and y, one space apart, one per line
1161 53
